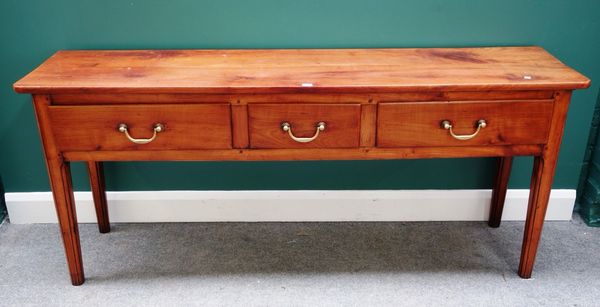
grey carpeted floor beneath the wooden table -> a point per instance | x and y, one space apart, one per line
302 264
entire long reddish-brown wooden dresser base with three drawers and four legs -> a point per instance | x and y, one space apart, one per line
287 105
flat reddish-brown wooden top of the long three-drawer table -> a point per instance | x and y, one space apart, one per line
300 70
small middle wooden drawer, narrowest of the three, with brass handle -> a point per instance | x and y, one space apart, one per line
340 129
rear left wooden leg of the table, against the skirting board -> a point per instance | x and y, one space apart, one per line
96 174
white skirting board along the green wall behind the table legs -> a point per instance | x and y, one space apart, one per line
289 206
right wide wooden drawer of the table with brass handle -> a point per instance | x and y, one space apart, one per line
421 124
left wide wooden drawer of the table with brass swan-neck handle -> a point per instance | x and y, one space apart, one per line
84 128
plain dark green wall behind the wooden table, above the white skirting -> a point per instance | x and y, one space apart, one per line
31 31
